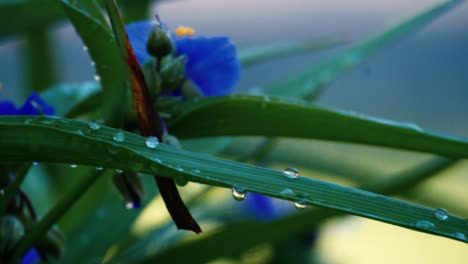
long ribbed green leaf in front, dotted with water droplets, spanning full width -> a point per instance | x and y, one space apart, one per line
50 139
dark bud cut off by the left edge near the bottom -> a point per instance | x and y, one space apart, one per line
11 231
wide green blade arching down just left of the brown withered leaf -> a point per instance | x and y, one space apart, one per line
90 24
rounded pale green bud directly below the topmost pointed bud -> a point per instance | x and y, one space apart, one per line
172 72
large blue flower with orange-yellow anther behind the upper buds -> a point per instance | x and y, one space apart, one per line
212 63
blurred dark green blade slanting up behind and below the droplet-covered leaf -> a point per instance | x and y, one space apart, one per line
282 230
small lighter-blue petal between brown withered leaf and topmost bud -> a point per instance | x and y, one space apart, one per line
138 34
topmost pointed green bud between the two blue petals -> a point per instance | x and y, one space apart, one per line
159 43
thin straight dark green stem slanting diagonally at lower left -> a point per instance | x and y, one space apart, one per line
52 217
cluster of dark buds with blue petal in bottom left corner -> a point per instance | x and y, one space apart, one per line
18 220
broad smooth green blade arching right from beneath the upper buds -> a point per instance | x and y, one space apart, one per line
278 117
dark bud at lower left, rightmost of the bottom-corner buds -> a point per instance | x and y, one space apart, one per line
52 244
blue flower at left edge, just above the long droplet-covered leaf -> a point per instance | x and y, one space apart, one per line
34 105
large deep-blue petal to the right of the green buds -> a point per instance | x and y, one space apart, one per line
212 63
